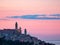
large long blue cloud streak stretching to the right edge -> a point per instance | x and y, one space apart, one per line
39 17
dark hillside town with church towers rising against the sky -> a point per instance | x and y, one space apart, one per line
16 35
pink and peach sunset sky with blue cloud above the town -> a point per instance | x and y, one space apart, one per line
40 17
